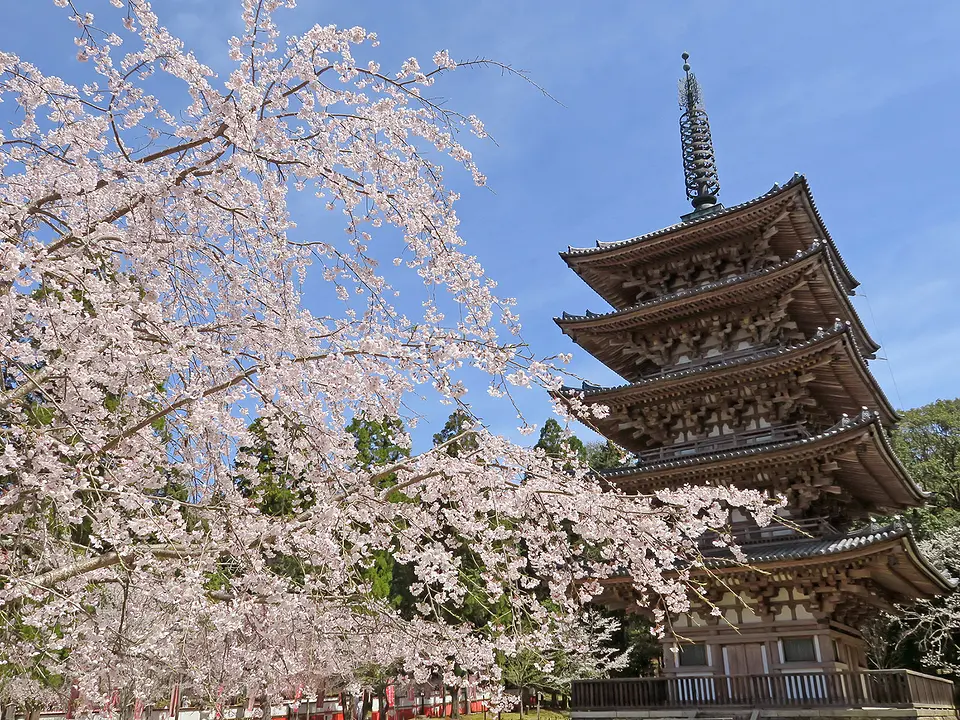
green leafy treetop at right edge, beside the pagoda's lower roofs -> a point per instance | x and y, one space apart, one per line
928 443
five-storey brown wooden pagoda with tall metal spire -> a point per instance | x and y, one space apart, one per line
745 363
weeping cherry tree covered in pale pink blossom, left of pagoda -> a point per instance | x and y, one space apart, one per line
154 302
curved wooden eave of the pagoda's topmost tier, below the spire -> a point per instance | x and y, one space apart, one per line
672 238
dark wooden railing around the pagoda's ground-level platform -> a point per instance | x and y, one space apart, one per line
874 688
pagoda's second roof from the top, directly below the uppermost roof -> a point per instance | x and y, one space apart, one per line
721 295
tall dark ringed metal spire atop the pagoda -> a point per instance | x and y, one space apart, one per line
699 164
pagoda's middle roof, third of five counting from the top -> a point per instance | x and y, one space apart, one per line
855 386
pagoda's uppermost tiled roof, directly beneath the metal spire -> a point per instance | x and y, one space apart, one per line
705 229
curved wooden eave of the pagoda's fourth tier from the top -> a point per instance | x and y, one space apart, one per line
903 493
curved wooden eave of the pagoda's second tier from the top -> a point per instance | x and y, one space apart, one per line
721 294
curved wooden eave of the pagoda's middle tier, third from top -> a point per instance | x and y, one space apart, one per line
767 362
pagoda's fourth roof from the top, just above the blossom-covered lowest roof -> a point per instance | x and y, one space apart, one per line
874 474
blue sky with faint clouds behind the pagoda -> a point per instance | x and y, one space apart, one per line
861 98
